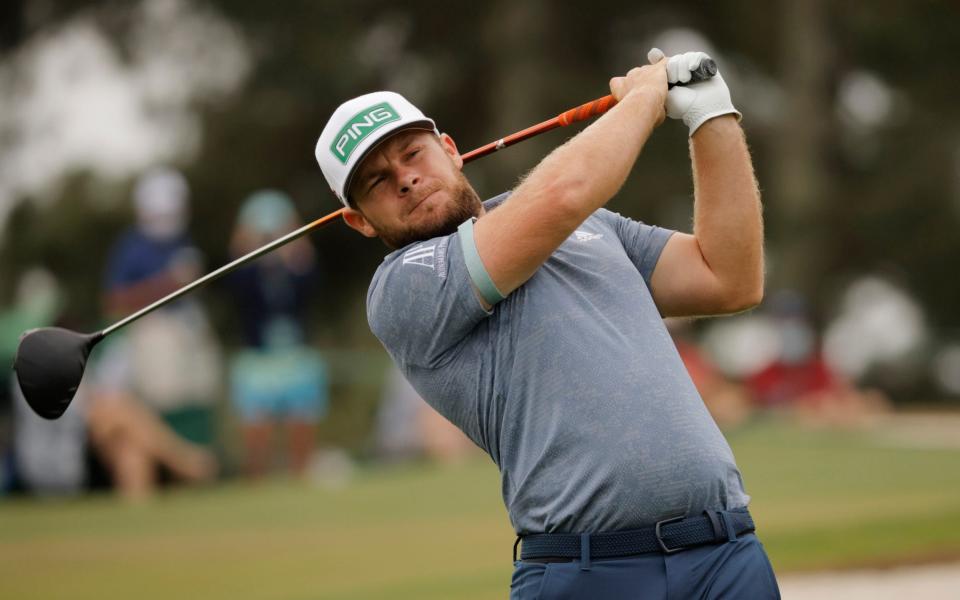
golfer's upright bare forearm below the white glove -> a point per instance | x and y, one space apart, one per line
728 221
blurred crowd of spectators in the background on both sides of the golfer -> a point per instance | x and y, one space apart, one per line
149 412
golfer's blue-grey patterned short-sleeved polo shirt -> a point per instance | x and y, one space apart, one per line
571 384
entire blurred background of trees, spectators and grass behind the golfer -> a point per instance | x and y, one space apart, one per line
254 441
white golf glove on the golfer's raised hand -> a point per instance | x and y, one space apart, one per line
695 103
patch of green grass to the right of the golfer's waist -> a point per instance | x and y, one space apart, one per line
828 500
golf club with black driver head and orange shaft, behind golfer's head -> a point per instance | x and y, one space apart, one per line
50 361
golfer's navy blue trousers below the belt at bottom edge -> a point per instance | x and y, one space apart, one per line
737 569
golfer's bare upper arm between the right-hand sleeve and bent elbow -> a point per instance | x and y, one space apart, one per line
682 283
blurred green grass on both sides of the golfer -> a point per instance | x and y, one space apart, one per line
821 499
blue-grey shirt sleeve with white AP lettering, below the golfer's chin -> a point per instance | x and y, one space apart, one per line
421 303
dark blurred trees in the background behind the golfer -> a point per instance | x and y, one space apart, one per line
845 193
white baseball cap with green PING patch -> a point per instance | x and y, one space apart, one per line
356 128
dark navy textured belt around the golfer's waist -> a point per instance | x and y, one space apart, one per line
667 536
